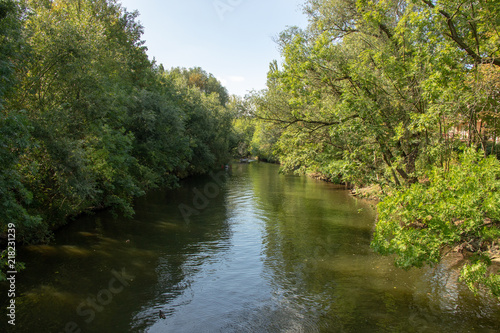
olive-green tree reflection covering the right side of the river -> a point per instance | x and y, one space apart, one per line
317 256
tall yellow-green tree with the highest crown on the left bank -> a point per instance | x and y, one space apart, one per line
71 84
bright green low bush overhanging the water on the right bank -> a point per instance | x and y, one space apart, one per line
456 209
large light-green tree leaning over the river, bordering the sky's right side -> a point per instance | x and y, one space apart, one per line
348 74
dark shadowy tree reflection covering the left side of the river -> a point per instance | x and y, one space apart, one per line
158 248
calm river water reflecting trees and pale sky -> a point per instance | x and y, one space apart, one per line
245 250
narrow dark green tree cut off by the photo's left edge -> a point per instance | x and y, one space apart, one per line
15 137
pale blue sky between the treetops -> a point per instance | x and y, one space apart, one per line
231 39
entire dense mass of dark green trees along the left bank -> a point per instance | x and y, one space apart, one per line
87 121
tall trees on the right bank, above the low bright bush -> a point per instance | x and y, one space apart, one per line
375 88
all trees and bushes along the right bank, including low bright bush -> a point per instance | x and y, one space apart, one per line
403 95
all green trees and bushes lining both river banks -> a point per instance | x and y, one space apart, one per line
397 98
